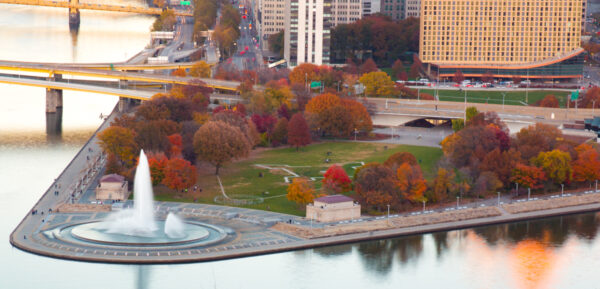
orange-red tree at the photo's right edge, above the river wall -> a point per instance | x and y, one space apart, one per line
586 168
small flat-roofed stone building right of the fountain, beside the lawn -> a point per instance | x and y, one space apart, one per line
332 209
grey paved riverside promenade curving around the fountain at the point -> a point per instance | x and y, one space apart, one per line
248 232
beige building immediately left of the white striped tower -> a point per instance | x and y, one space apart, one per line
271 17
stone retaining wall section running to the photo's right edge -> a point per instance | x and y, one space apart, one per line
551 204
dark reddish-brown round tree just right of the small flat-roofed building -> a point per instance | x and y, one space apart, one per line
375 185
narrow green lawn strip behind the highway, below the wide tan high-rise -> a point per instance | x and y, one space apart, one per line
495 97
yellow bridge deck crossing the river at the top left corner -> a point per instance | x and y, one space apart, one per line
91 6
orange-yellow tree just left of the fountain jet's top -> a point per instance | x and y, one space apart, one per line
119 141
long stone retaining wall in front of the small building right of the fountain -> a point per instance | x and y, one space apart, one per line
394 223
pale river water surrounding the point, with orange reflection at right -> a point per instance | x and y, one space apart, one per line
550 253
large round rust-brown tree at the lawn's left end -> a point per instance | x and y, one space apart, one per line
218 143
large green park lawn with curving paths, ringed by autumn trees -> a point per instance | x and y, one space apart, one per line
241 179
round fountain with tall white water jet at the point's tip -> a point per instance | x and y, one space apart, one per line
138 226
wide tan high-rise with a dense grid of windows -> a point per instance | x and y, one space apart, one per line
526 38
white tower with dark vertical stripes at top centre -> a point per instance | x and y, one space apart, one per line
307 35
